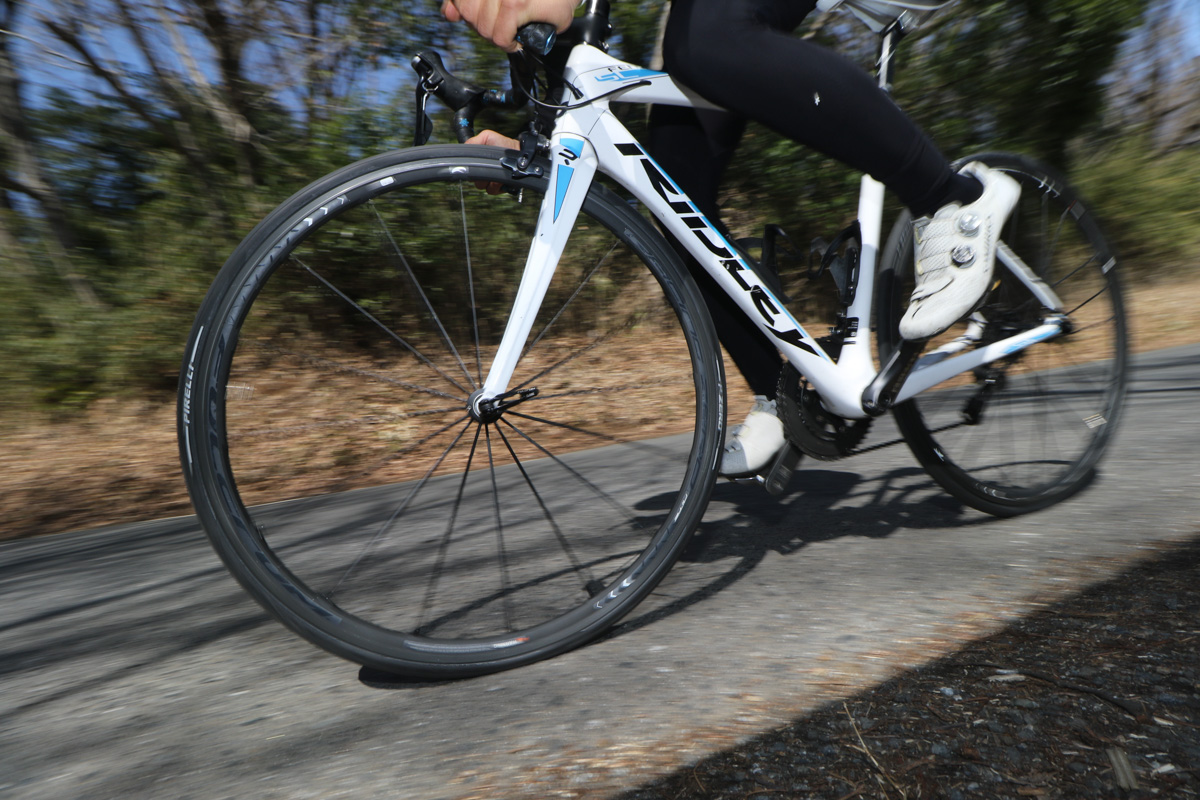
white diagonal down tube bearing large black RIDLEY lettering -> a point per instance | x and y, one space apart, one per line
627 163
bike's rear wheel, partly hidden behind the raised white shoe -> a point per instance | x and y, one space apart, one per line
1028 431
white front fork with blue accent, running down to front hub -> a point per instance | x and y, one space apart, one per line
574 165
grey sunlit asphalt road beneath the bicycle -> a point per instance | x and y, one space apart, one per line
133 666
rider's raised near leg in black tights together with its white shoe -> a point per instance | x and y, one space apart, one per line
740 55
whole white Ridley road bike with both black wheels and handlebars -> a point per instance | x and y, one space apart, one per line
453 410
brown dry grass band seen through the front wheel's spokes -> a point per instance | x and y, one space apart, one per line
303 432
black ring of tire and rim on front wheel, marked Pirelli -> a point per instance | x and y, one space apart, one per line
212 480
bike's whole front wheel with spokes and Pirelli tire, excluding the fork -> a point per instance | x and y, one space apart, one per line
328 448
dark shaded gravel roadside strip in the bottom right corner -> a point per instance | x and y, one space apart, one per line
1094 697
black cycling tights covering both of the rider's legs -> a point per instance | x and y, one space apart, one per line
741 56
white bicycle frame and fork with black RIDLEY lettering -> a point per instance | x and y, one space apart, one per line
589 137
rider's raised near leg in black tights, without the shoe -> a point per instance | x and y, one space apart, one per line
741 56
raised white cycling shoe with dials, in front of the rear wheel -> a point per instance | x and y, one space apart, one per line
956 255
